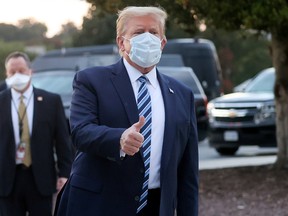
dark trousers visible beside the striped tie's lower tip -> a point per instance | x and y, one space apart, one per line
153 204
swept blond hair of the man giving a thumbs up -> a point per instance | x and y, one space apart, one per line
132 11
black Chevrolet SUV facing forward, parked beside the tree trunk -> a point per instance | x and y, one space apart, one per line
244 118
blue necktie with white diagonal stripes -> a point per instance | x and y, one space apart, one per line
144 108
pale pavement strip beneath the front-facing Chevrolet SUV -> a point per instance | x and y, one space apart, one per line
245 156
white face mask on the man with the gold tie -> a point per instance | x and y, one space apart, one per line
18 81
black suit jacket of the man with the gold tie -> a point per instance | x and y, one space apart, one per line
49 132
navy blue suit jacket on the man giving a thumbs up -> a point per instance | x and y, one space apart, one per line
102 184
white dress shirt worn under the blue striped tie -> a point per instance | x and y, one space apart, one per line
158 119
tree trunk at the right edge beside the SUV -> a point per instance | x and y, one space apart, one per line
280 63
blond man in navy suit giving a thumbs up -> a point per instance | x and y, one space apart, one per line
134 130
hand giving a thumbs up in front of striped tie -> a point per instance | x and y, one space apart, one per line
131 139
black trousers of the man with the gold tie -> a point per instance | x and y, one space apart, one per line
25 197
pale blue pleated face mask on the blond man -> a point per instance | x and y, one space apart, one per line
145 50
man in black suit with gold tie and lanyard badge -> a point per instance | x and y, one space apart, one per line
33 130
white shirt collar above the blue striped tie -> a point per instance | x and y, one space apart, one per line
134 74
